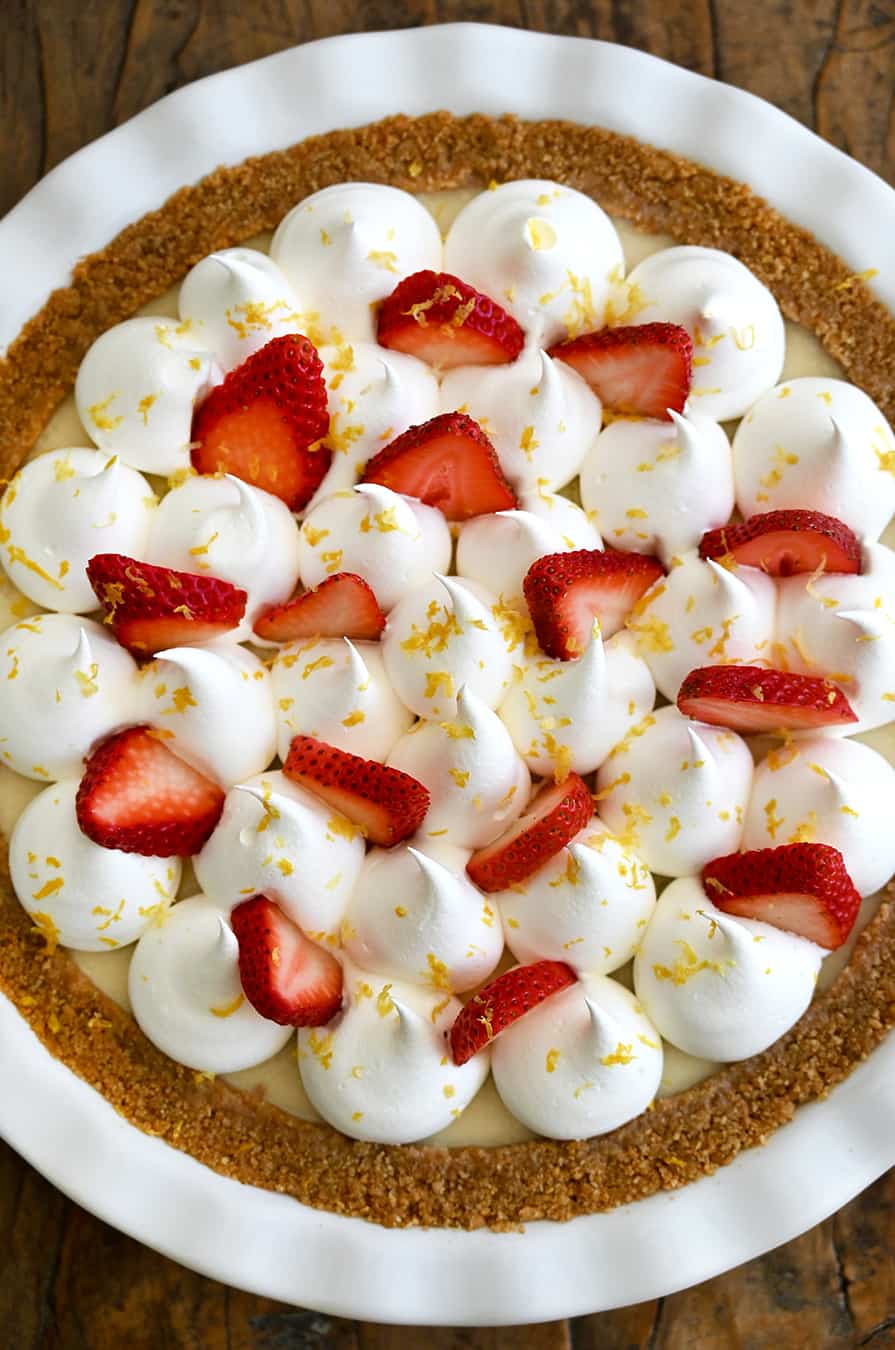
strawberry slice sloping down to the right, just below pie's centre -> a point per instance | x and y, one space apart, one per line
384 803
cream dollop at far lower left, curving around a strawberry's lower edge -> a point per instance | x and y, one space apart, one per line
79 894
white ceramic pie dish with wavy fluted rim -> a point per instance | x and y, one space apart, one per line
267 1243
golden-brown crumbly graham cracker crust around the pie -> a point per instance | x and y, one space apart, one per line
680 1139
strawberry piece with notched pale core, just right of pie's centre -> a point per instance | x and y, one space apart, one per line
566 592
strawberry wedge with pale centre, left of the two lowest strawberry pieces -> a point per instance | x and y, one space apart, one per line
286 977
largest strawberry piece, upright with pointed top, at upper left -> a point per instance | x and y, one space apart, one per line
267 421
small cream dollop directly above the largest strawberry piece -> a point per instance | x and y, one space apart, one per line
236 302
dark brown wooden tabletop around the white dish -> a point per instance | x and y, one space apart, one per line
70 71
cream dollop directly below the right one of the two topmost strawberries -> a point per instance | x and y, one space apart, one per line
657 487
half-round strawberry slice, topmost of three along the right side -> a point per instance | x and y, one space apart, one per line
784 543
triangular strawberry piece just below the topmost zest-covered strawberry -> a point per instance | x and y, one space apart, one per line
447 462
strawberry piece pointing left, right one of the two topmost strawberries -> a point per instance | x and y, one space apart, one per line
645 369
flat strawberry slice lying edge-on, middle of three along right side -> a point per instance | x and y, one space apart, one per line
751 699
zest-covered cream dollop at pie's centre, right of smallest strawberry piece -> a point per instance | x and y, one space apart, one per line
443 635
